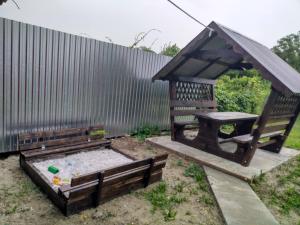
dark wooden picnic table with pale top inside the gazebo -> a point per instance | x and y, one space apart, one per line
210 136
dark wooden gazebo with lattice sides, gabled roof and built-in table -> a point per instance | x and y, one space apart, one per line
192 74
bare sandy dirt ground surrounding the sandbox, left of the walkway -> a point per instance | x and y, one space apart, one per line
21 202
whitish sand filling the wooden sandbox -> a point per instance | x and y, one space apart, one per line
80 164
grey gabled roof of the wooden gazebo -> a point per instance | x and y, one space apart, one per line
212 53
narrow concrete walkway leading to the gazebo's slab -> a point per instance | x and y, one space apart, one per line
237 201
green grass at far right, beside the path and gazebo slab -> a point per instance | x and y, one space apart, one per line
280 189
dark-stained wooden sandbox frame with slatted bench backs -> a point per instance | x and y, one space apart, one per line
90 189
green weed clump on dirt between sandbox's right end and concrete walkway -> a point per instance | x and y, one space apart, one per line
160 199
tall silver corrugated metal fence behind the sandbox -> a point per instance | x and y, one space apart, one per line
51 79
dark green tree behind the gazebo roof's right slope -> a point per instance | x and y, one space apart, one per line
288 48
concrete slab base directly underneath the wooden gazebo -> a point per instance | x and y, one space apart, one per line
262 162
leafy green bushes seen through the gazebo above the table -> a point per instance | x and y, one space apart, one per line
241 92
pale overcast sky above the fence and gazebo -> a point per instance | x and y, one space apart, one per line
263 20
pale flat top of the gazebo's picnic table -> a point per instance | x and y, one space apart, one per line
226 116
